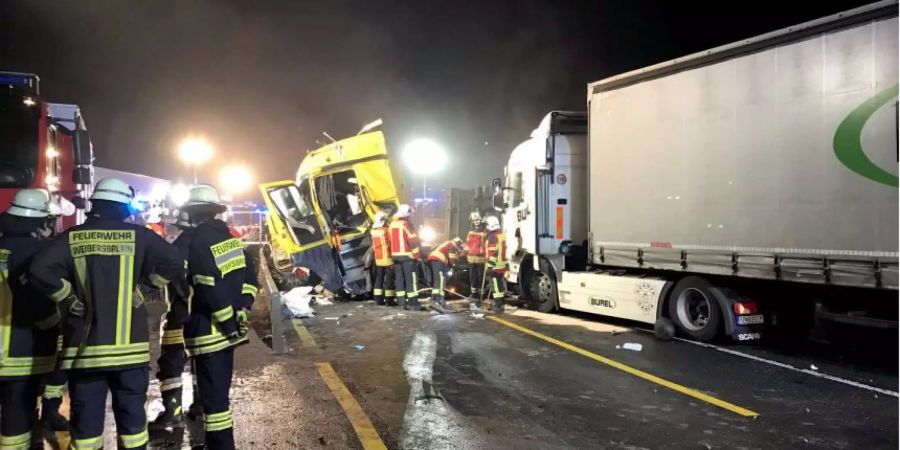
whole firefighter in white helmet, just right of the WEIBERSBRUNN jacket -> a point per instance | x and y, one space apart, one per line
224 289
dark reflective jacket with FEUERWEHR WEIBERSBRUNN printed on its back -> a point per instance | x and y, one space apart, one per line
101 263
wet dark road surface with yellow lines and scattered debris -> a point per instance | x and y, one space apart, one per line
424 380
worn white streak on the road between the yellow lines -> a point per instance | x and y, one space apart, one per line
429 422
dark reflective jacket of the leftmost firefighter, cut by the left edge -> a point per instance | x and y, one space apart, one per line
28 320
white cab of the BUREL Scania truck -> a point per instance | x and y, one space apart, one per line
545 205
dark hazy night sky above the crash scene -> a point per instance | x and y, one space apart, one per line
263 79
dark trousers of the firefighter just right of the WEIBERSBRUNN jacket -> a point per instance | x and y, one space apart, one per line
214 372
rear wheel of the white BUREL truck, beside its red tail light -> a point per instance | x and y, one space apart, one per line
695 310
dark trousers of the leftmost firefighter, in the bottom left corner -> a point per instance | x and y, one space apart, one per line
18 401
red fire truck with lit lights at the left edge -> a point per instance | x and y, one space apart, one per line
43 146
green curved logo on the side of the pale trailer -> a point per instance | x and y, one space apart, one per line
848 139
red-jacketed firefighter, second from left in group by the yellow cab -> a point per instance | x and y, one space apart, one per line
405 254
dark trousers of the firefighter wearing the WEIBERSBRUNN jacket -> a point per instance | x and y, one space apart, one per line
88 391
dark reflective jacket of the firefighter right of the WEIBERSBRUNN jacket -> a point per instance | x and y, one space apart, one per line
224 280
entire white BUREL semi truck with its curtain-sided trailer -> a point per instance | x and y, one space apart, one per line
753 182
